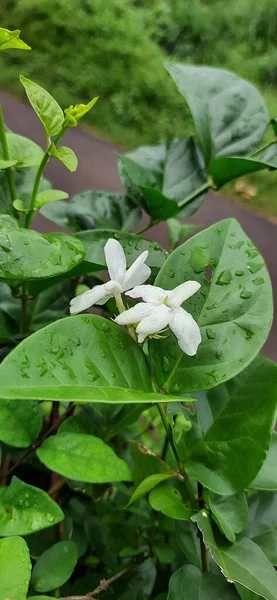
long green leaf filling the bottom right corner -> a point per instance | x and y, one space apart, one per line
242 562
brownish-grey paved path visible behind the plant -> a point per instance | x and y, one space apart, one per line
97 170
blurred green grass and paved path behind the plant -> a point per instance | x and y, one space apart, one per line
116 49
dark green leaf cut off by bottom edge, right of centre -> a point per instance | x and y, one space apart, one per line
188 583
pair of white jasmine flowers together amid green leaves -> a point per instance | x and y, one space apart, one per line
160 308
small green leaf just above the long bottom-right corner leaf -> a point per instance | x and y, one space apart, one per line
229 512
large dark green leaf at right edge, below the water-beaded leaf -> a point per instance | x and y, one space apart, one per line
233 448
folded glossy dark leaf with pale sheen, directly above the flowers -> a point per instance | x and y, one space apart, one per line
159 178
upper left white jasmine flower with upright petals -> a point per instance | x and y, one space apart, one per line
121 278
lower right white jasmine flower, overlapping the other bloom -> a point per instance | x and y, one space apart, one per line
162 308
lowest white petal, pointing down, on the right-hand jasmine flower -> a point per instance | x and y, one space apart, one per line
186 330
